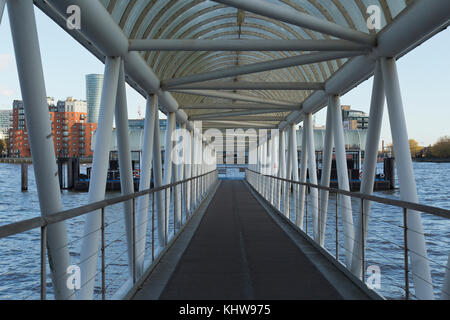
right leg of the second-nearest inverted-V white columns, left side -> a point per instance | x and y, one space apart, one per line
158 178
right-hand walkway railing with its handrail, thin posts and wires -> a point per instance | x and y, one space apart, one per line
389 235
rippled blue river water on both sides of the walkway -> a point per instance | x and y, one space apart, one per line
19 255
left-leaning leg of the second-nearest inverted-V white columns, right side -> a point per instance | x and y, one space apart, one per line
327 155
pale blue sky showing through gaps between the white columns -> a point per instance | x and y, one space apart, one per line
424 79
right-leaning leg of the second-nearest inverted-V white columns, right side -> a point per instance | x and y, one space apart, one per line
342 172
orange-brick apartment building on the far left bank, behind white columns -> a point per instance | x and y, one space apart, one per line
70 130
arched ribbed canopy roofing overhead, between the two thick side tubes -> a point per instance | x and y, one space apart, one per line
217 36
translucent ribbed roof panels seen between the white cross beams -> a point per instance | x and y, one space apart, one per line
170 19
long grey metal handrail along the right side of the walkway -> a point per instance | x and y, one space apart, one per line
444 213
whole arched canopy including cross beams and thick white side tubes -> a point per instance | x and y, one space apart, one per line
232 35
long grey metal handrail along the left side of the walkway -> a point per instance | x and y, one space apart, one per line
39 222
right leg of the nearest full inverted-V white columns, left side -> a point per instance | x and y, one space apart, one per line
126 173
